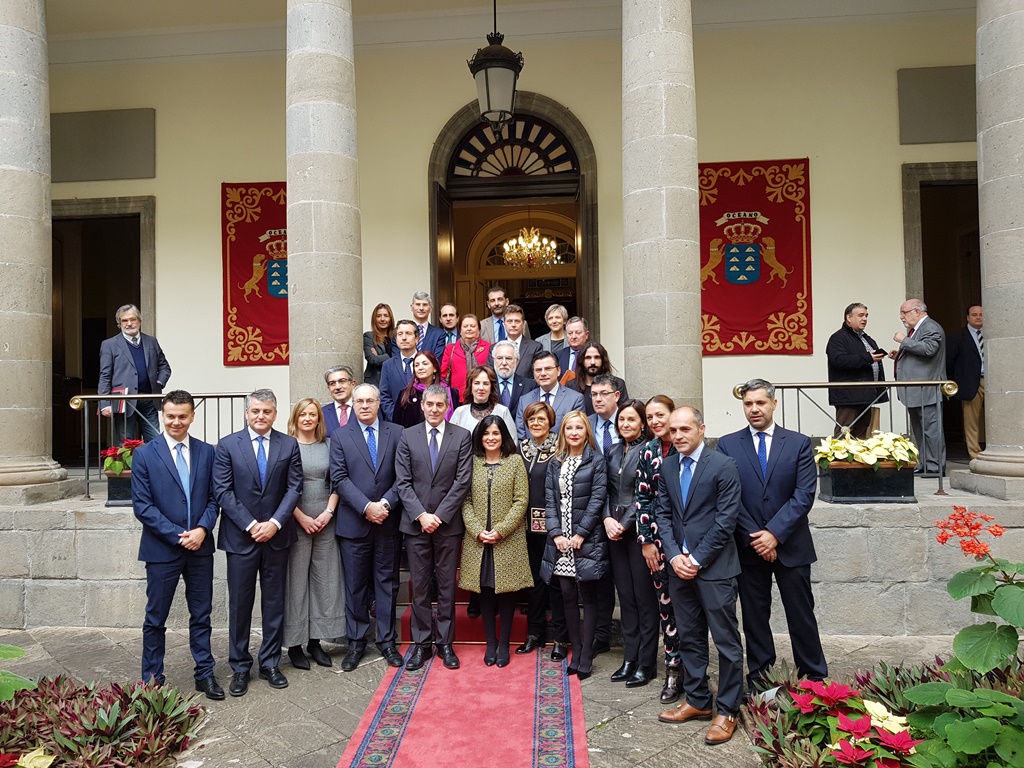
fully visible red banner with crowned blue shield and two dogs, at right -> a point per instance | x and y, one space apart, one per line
756 263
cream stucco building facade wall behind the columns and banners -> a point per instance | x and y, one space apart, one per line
823 92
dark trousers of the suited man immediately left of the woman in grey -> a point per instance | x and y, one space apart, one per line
271 567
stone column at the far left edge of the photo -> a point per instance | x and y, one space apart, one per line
26 246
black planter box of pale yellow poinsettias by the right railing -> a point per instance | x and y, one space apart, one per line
877 471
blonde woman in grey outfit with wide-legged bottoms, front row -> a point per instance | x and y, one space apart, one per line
315 605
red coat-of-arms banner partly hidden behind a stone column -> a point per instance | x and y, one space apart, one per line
254 236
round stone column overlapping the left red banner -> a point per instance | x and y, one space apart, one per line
325 263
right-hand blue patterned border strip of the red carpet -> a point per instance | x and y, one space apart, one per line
553 743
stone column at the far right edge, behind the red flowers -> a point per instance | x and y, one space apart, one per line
1001 198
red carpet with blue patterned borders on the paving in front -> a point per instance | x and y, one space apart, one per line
528 714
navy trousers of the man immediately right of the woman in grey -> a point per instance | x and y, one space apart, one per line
371 570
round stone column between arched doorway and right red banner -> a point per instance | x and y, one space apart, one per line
661 236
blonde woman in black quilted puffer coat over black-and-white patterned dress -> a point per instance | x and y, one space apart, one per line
577 554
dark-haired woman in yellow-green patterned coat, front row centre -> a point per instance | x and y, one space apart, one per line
495 562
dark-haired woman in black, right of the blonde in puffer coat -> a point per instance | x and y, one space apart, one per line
637 599
